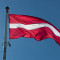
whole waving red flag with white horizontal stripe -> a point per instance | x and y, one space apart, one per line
32 27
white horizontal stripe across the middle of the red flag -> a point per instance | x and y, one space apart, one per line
34 26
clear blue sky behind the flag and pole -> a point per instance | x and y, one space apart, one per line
28 48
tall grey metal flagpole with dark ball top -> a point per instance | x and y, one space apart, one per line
5 38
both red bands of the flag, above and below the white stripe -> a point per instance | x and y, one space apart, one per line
38 34
